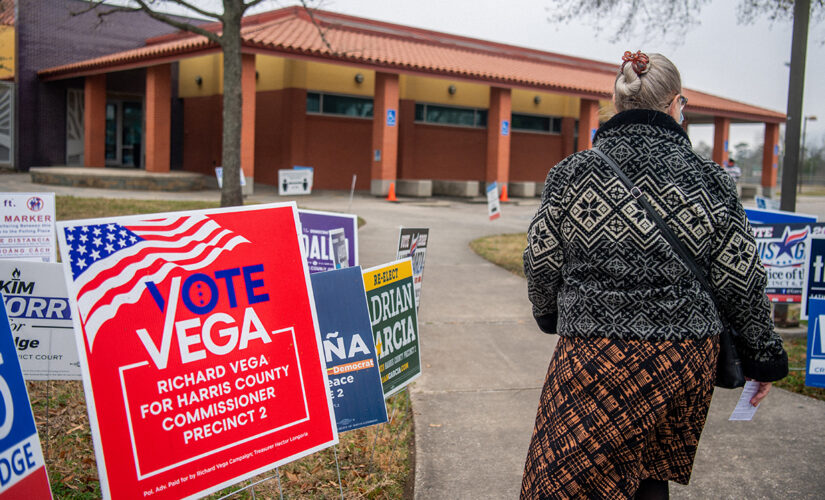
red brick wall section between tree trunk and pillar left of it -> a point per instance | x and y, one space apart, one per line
202 129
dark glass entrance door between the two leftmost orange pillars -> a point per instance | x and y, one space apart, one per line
124 133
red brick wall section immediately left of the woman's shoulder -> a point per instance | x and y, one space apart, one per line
533 155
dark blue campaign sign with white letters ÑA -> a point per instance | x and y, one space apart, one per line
352 366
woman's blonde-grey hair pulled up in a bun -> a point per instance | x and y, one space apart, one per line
654 88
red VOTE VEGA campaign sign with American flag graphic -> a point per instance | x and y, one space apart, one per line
200 348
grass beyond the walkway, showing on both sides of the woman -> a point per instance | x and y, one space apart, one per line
505 250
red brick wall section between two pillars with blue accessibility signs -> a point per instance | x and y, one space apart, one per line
448 153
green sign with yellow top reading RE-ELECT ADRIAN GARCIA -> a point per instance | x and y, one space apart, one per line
391 296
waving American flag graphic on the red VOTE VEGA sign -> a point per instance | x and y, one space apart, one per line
111 262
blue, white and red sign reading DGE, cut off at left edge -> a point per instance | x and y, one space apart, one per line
22 468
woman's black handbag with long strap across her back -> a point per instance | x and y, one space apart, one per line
729 373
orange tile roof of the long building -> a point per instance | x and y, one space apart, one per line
395 48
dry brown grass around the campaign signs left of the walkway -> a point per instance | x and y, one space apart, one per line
60 413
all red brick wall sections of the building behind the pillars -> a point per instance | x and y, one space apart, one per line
339 147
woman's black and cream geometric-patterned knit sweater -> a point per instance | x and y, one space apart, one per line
597 265
